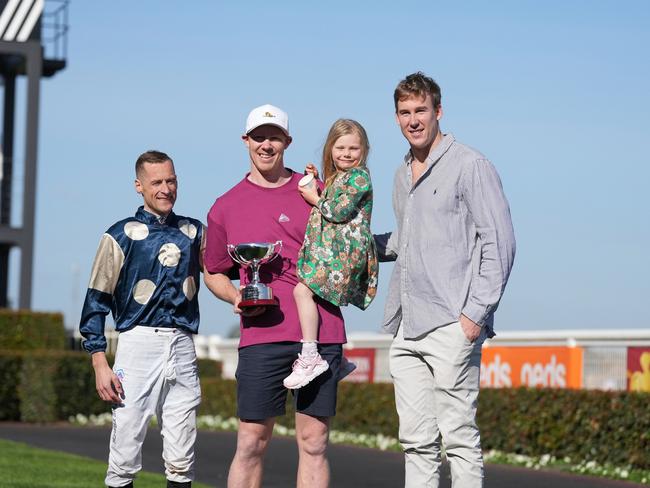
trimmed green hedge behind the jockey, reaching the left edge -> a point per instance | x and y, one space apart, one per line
47 386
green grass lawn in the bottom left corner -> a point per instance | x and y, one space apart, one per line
23 466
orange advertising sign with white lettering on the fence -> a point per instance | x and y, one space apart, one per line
548 367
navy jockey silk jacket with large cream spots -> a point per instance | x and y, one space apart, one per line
146 272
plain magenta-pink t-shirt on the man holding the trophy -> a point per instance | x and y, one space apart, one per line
251 213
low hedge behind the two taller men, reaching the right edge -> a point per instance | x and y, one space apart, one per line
608 427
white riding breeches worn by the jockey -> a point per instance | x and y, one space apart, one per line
158 370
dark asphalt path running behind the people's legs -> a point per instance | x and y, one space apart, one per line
352 467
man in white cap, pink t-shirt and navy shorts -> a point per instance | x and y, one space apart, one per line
266 206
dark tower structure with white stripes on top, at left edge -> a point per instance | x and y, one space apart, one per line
33 44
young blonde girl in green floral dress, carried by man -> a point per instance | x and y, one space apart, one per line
338 260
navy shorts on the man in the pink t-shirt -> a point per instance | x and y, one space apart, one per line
261 369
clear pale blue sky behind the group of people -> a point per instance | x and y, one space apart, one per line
554 93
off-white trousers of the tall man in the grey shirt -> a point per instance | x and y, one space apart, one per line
436 379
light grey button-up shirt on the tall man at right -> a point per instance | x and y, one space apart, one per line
454 245
